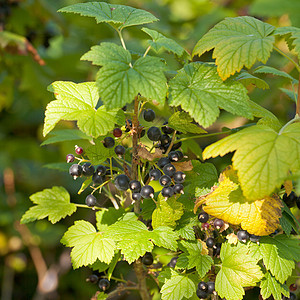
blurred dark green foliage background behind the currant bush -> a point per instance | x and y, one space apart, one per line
57 42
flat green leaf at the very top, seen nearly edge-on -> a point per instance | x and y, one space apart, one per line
119 16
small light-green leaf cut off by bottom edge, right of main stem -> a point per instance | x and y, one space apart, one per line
177 287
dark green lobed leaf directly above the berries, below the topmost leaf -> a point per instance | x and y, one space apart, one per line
119 82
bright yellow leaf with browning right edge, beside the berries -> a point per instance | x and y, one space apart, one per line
227 202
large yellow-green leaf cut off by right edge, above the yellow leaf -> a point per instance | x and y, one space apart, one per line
262 157
